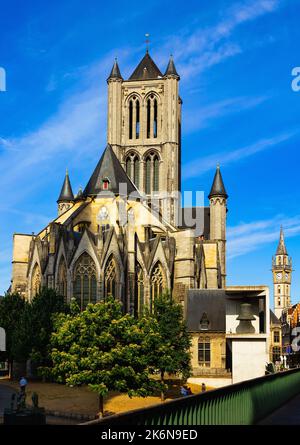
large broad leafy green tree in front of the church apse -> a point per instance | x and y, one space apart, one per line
105 349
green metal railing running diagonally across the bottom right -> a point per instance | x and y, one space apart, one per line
243 403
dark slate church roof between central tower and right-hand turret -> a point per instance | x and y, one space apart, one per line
203 216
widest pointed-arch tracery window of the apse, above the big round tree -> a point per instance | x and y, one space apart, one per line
85 283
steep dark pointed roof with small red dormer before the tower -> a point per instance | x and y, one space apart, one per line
110 169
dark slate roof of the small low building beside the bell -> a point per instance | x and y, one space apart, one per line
209 301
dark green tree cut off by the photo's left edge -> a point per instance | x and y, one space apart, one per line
12 307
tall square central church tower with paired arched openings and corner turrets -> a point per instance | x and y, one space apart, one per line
144 128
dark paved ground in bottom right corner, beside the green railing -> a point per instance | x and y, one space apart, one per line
289 414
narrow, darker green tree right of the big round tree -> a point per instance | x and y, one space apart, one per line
171 354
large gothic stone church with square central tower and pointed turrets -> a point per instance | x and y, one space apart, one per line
90 250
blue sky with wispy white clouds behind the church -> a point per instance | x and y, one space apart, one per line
235 60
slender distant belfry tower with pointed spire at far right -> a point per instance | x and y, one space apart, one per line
282 277
